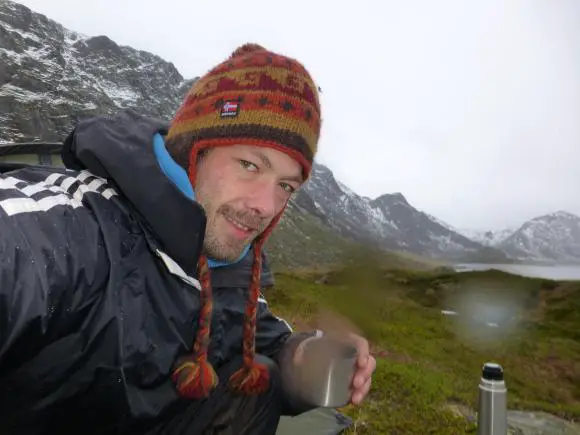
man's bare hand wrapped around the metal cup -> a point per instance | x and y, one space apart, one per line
365 365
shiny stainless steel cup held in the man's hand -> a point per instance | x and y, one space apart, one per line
326 372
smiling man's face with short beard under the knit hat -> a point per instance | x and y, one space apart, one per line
242 188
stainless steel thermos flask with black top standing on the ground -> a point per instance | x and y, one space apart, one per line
492 401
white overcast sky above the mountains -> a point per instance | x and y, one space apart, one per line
471 109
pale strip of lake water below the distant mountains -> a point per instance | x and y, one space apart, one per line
555 272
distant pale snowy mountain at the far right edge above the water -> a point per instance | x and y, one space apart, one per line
552 237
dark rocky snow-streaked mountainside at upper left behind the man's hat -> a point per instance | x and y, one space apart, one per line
50 76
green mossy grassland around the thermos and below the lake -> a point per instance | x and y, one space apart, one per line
428 363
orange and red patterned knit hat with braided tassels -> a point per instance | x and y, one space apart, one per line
259 98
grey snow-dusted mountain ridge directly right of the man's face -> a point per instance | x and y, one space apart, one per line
387 221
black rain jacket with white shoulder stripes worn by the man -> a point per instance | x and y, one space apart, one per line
98 288
